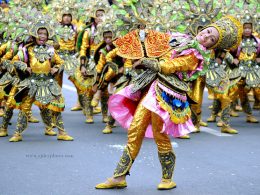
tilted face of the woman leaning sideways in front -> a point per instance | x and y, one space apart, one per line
208 37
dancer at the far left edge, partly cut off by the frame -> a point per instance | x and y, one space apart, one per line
9 79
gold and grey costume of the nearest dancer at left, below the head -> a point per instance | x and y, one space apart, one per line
43 90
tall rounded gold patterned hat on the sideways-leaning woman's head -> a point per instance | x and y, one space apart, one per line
230 32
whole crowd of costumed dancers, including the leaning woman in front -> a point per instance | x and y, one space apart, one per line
132 49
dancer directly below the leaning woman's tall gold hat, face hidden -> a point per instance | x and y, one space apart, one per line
222 78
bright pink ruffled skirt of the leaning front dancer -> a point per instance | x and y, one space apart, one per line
123 104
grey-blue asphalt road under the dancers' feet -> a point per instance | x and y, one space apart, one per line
210 163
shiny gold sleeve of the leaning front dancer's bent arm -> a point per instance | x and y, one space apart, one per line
182 63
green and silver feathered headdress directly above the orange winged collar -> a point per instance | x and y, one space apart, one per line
154 14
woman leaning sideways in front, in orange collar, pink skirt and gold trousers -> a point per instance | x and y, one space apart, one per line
162 102
